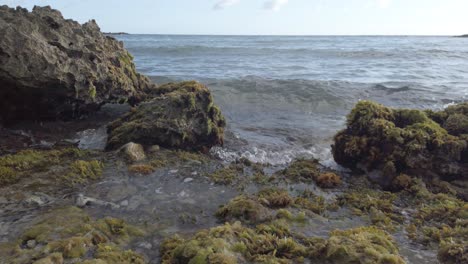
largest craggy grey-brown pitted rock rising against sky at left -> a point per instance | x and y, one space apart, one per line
51 67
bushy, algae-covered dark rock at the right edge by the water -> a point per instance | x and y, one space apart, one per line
429 144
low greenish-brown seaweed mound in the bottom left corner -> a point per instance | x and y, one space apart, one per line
69 233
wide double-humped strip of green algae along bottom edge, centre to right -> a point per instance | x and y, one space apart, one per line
275 243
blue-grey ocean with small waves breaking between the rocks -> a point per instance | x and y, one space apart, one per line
286 96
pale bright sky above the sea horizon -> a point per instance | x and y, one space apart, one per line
267 17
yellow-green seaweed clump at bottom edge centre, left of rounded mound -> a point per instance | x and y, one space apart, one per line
231 244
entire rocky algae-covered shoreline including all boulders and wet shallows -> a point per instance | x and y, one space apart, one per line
85 181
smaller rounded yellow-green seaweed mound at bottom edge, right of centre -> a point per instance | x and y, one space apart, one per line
365 245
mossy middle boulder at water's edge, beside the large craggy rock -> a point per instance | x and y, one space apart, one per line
182 115
